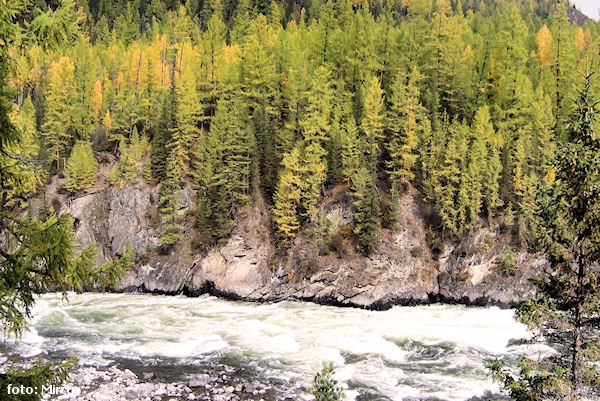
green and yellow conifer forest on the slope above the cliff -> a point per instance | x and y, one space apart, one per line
460 103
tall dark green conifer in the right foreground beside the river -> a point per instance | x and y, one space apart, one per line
567 312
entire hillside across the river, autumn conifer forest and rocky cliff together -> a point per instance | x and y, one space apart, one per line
353 152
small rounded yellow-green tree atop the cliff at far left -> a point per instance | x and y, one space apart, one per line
82 168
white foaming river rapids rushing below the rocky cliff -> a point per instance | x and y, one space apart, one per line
406 353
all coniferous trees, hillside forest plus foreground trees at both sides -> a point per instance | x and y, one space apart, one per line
480 106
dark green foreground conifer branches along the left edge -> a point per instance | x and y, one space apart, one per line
37 255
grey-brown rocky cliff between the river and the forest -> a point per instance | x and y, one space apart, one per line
320 266
